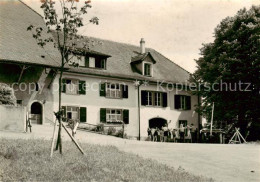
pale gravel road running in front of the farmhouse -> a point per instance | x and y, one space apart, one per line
229 163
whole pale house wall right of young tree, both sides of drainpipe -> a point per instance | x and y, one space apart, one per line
93 102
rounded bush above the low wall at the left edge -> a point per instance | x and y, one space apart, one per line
7 96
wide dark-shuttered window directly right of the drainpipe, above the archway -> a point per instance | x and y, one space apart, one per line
151 98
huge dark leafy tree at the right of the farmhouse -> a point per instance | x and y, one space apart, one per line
228 72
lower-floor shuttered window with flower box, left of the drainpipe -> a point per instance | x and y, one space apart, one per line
109 116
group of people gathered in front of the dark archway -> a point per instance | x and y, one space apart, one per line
165 134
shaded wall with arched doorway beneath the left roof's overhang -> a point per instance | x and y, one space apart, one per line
25 90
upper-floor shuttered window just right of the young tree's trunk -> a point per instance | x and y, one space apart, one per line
73 86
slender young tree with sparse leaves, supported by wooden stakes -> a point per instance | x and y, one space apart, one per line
66 25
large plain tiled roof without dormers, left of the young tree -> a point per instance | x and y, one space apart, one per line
16 43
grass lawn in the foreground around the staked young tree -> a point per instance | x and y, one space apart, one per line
28 160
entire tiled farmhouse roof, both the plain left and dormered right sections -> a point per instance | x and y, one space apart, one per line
17 44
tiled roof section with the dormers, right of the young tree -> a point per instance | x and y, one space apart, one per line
119 64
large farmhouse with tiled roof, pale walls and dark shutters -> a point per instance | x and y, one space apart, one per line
113 82
